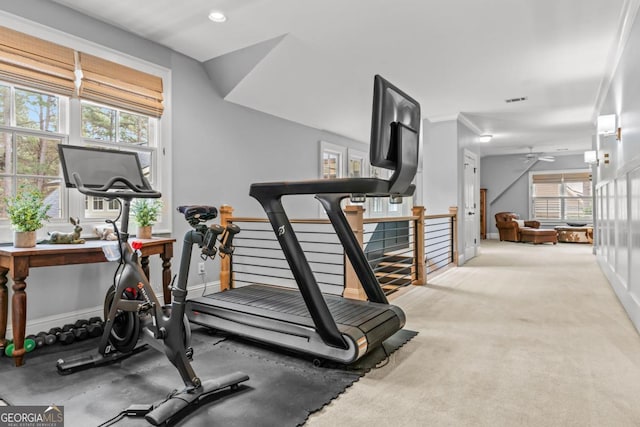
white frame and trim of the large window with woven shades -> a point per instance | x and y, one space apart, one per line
73 202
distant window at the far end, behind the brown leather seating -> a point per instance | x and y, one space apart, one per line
561 196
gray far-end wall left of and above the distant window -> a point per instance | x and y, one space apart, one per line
499 172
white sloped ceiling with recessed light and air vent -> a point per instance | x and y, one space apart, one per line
458 58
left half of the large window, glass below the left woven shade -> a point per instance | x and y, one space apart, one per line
31 127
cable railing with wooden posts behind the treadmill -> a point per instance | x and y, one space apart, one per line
400 250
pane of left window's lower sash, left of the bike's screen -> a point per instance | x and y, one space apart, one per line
37 156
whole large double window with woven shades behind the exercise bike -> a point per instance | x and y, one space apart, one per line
112 103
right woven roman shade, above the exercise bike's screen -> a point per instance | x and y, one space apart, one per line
114 84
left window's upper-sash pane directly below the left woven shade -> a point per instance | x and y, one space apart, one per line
37 111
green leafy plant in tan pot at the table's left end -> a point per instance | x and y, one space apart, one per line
26 211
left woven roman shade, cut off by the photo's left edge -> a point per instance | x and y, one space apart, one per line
36 63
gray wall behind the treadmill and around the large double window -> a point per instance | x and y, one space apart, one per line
218 150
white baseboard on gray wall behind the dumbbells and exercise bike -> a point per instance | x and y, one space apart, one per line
58 320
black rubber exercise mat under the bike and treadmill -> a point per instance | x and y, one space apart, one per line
283 389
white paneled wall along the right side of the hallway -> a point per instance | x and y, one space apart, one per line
618 184
